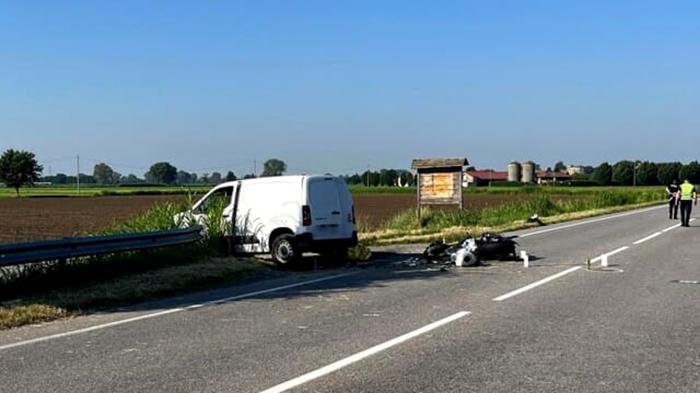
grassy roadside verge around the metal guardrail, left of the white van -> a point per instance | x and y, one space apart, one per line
45 291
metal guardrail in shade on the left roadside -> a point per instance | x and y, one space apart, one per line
50 250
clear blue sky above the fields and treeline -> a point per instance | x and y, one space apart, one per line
340 86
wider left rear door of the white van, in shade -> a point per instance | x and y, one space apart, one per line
326 214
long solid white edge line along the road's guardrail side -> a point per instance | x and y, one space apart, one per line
171 311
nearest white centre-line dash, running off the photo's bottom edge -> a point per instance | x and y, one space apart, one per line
361 355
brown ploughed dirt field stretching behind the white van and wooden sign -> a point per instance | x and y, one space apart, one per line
27 219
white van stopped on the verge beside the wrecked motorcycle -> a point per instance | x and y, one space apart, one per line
286 215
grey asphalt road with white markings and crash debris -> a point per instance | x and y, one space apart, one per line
553 327
